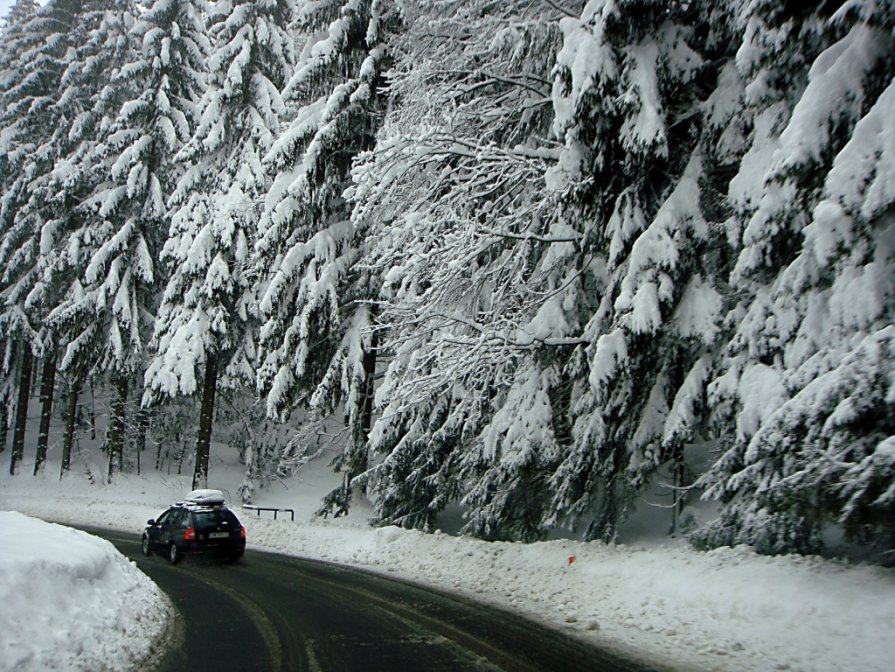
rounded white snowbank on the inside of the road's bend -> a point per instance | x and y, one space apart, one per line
72 602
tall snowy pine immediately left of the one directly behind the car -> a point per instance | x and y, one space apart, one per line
148 115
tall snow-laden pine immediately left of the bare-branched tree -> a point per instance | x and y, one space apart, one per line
318 349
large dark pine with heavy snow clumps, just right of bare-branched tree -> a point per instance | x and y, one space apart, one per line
634 105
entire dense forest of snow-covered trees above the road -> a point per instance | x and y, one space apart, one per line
526 253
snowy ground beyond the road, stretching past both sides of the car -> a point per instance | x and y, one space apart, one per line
654 598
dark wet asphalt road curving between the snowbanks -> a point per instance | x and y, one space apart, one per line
272 612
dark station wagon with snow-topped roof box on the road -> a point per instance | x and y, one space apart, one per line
200 524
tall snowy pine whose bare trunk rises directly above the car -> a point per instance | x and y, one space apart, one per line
205 319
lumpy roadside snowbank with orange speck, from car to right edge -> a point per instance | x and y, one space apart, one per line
728 609
